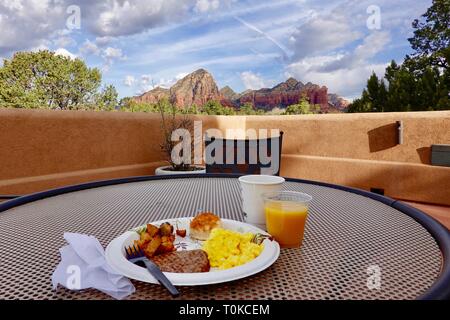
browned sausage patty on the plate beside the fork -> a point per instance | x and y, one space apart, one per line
183 261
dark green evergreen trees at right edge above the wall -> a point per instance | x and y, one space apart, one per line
422 82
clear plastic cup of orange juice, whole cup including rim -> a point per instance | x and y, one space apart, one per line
286 213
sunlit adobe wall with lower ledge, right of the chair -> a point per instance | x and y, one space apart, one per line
361 150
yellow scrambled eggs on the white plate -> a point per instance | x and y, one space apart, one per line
227 249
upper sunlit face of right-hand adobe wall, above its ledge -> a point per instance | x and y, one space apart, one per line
369 136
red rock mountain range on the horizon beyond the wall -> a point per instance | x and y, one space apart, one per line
199 87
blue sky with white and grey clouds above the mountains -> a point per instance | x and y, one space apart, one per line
244 44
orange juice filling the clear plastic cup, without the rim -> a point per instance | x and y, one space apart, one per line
285 221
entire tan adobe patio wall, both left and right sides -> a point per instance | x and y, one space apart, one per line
41 149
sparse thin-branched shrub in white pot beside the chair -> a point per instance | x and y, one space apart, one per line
170 122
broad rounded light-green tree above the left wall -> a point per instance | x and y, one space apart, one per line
46 80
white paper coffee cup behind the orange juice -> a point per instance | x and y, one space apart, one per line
252 189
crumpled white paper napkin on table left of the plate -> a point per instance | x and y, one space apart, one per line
83 265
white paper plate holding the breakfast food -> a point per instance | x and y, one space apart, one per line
115 256
